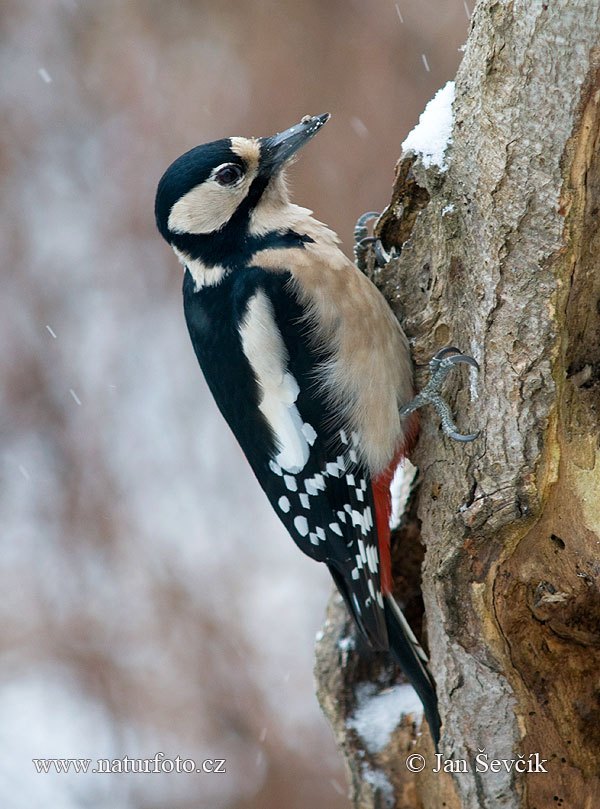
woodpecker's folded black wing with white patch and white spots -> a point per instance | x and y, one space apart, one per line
319 489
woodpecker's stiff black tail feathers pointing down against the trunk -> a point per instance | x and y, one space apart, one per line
409 655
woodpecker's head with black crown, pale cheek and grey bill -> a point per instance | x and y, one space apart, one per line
233 183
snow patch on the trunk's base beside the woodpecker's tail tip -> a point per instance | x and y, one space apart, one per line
377 715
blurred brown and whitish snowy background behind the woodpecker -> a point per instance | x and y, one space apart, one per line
150 599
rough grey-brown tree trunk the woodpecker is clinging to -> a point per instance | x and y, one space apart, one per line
499 257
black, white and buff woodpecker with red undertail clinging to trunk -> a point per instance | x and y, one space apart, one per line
307 364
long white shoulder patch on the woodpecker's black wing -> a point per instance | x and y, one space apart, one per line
265 350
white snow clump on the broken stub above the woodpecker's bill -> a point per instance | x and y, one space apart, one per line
432 135
